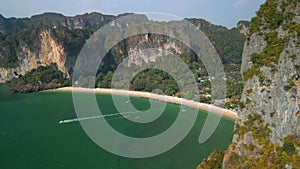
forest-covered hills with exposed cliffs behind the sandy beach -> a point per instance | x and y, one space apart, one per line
46 39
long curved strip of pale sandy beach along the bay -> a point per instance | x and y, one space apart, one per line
163 98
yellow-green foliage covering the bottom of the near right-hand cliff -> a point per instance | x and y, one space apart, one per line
266 154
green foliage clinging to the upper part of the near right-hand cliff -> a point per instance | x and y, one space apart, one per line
270 18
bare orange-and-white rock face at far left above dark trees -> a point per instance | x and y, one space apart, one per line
48 51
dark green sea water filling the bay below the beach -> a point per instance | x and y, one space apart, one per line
32 138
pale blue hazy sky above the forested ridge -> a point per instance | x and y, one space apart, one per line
220 12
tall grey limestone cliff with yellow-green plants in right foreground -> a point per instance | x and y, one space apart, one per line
267 135
